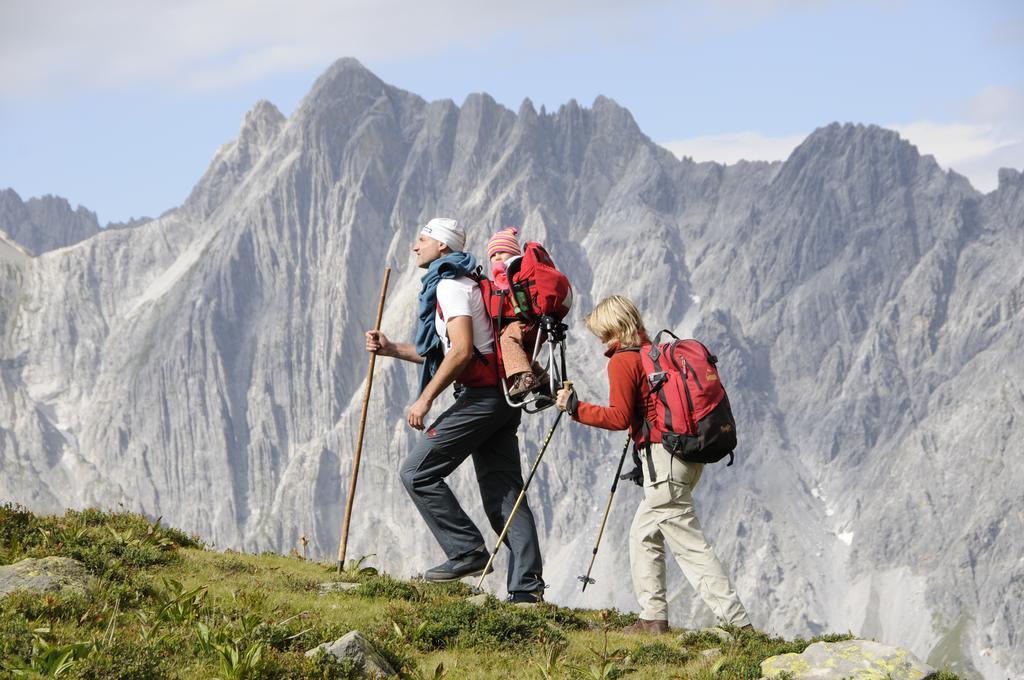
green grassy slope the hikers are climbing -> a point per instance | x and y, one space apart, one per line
163 607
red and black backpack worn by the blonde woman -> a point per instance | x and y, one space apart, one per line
694 418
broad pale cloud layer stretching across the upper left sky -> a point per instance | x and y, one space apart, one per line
48 48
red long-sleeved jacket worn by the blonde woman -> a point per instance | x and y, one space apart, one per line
629 396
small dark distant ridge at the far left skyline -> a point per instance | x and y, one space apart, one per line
46 224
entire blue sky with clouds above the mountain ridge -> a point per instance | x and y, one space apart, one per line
120 106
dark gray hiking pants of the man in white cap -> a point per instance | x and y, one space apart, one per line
483 426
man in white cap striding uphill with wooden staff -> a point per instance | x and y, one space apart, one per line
455 344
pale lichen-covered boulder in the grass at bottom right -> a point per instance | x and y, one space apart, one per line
852 659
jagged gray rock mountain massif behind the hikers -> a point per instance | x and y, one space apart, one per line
867 308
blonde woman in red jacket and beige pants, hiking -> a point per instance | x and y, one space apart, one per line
666 516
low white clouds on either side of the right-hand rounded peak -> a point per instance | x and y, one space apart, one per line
991 138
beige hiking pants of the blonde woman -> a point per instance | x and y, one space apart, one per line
667 517
